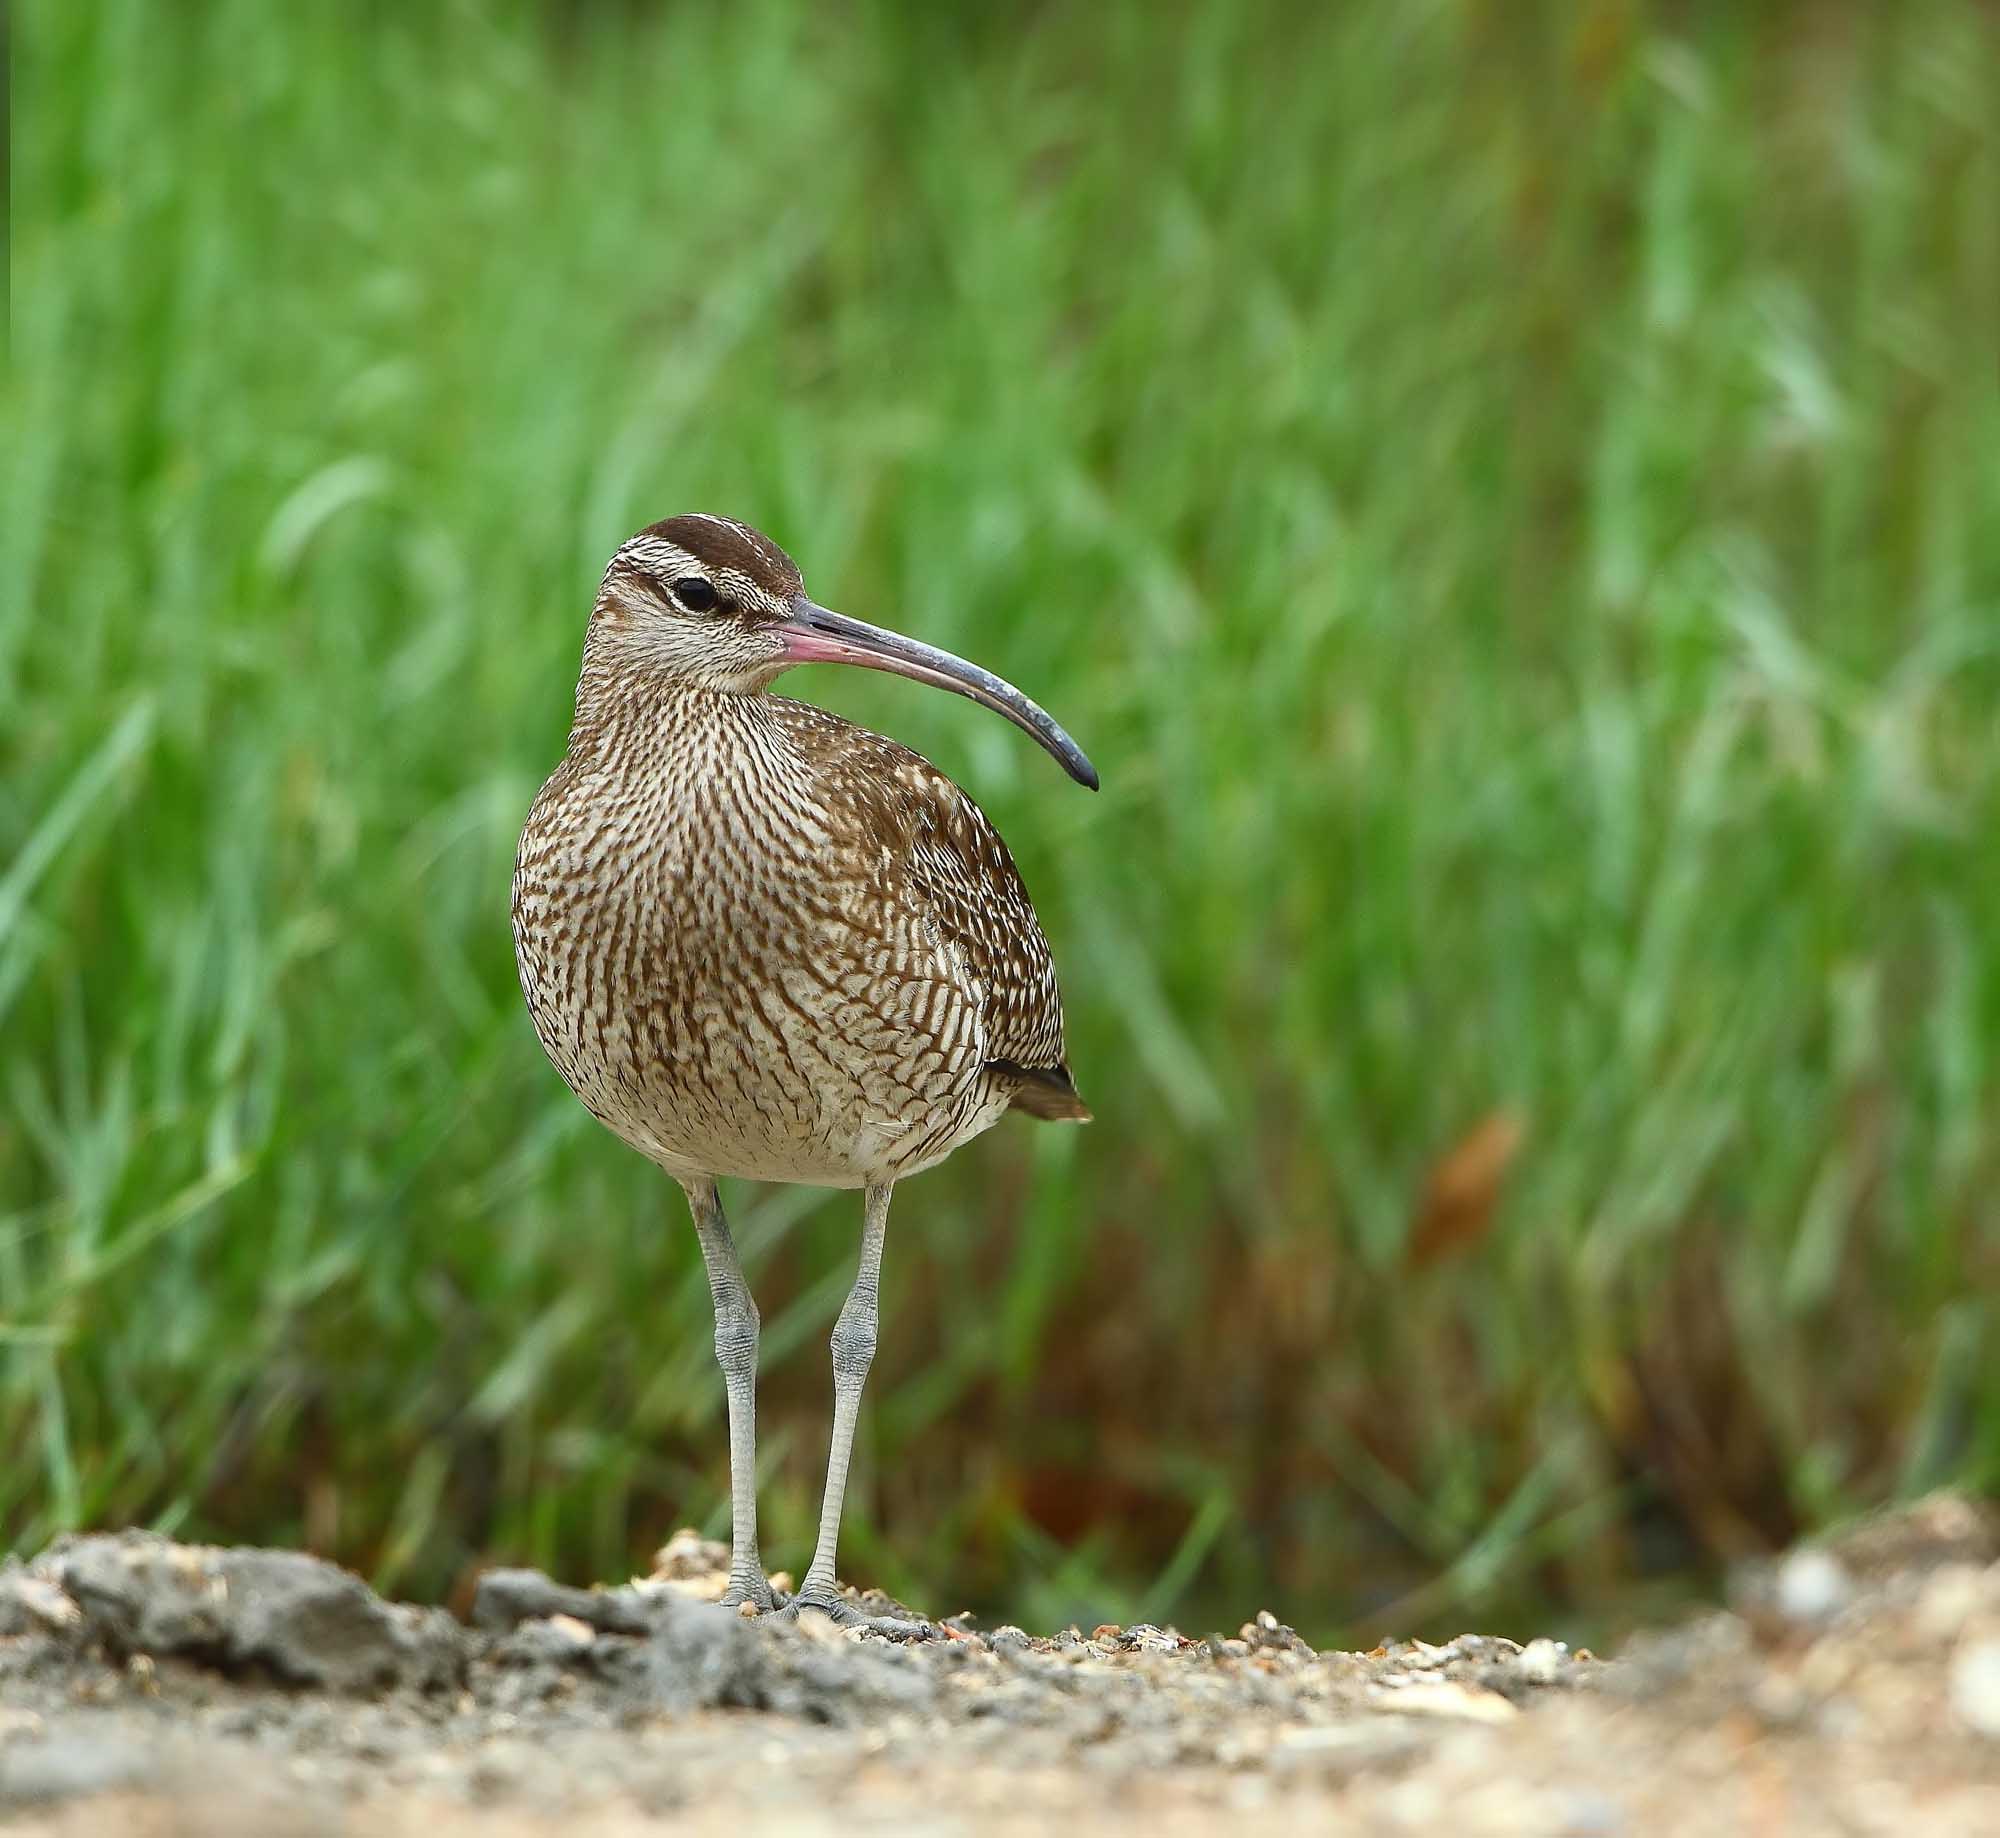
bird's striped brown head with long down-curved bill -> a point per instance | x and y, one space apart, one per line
721 607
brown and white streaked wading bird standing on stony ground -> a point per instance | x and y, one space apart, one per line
759 941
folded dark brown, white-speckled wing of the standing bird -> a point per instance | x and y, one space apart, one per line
949 857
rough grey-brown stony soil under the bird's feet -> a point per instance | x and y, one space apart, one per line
163 1689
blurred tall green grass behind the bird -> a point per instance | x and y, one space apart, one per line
1509 497
